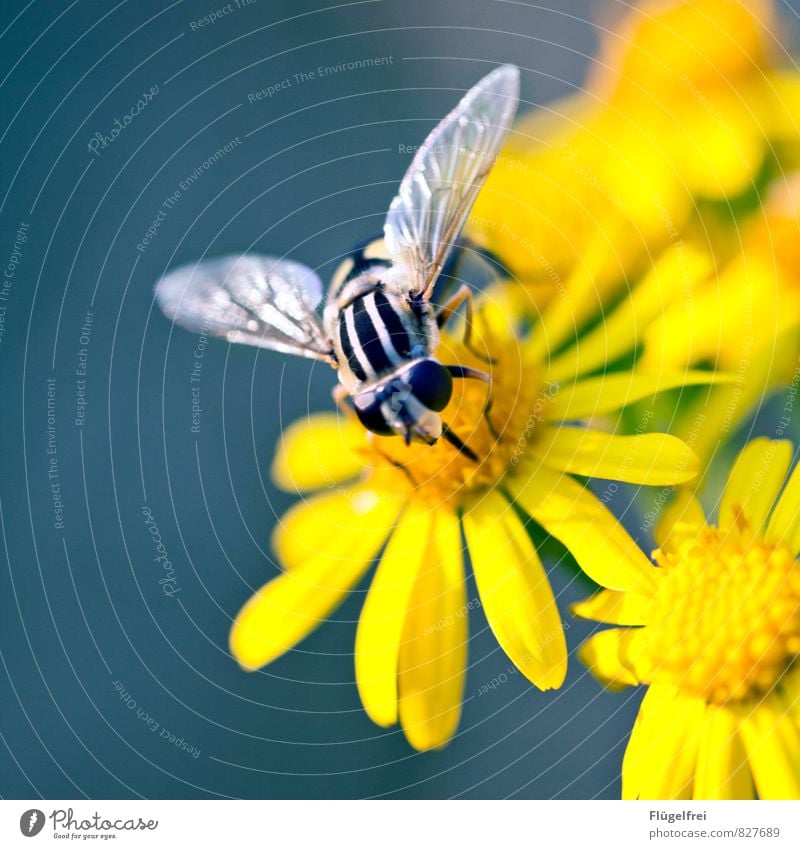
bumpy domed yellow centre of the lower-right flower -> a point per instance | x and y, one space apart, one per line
725 622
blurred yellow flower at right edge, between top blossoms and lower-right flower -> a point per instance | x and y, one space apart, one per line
739 312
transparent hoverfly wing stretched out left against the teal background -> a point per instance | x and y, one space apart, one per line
253 299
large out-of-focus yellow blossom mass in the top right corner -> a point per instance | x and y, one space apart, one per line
686 104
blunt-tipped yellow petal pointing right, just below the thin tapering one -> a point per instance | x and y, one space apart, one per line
650 458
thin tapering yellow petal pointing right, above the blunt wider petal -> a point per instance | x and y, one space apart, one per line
597 396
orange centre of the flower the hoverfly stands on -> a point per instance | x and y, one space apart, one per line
495 424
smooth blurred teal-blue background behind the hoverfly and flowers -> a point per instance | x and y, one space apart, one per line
110 687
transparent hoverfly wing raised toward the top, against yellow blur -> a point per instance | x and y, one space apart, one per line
440 187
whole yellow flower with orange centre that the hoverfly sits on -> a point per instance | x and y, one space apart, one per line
375 497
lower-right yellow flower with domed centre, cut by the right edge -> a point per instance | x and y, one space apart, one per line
716 637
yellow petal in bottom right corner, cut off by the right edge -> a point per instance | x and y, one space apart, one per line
772 739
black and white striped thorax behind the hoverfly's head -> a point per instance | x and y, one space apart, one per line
376 335
